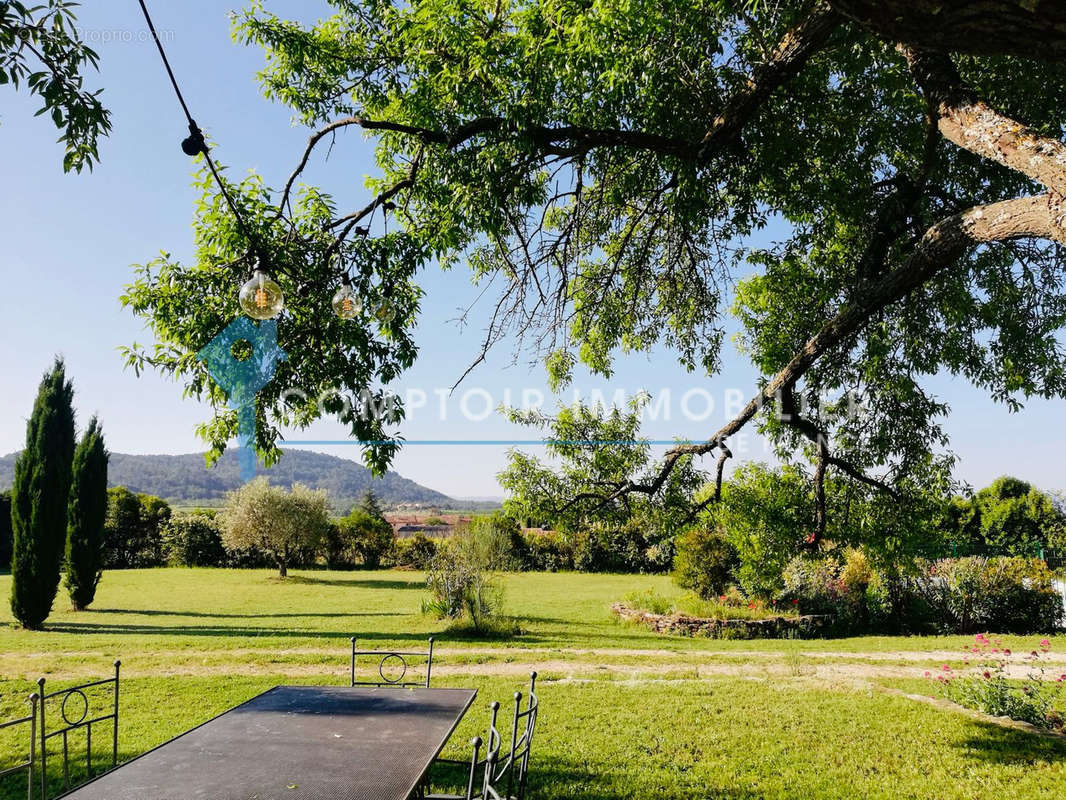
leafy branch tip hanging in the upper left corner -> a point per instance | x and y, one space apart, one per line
40 46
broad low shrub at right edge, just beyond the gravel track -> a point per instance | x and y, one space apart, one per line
1004 595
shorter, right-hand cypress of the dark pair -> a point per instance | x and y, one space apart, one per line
86 517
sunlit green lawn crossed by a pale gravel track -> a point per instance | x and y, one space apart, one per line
625 713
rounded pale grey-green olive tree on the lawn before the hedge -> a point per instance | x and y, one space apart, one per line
277 521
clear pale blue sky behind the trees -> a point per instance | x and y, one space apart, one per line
69 243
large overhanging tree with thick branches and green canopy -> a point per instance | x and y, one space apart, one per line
603 166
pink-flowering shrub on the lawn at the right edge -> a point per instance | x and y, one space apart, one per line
989 690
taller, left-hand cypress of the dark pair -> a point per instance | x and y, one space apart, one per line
40 498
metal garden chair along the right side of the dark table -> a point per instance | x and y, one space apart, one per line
493 777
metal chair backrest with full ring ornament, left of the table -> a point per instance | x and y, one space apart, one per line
76 712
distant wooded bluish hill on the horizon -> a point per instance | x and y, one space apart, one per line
185 481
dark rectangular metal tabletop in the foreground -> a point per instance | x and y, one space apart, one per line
298 743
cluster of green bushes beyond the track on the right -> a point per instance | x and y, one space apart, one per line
874 571
